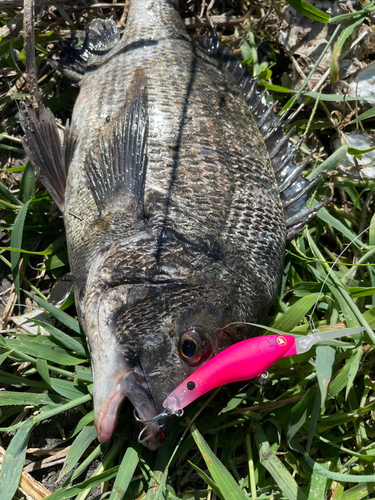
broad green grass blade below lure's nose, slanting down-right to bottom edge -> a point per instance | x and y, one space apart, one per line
228 487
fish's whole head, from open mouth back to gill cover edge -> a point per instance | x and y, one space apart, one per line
148 332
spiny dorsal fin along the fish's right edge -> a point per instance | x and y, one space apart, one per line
293 186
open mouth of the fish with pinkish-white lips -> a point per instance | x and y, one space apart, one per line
132 385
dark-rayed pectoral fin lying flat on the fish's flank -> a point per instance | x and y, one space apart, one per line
118 160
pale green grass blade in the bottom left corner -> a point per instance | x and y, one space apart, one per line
13 461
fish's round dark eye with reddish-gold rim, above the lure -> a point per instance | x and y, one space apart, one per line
194 346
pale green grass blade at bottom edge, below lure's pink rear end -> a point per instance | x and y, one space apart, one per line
275 467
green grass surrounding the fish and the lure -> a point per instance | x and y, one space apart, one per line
307 432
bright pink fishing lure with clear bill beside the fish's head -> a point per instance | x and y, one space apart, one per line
244 361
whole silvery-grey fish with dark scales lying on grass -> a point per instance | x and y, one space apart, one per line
179 191
